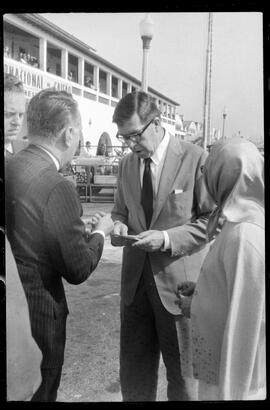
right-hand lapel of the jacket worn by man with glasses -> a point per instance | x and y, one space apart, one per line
169 172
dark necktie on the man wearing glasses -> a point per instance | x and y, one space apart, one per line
147 192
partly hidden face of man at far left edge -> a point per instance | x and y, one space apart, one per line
14 109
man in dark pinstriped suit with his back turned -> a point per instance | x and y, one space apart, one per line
44 226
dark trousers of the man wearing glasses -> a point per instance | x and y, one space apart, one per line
148 329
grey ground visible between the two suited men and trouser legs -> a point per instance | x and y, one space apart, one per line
91 368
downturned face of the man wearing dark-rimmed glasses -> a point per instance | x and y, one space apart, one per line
147 143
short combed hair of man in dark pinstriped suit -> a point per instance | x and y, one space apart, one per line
50 111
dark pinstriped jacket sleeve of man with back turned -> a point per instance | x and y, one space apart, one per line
74 254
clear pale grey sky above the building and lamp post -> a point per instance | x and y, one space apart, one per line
177 56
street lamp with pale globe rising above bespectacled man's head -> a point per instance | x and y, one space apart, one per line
146 31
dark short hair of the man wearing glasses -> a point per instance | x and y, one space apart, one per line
137 102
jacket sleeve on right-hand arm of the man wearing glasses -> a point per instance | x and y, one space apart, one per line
191 237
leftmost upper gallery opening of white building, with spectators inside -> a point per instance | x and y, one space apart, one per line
20 45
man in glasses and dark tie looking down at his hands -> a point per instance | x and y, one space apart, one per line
164 202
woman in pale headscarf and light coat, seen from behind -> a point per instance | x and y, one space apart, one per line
228 304
